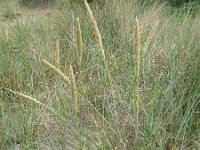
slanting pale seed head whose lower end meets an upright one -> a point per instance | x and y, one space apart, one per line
58 72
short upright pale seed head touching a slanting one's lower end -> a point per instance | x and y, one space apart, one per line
74 90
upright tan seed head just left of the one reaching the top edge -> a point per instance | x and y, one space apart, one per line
79 41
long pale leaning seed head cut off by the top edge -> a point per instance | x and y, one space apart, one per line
97 32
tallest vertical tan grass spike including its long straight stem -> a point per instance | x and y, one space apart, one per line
137 74
